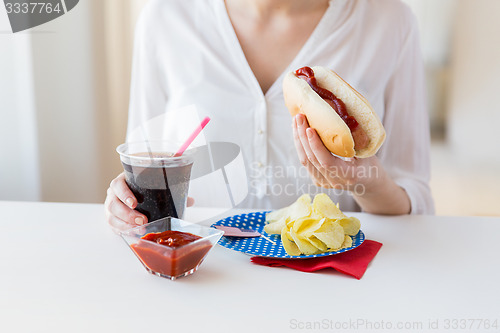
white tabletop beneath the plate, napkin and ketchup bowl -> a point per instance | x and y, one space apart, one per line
63 270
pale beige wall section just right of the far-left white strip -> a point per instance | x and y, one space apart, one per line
68 131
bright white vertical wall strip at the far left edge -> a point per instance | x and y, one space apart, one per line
19 165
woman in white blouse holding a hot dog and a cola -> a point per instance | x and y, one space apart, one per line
229 58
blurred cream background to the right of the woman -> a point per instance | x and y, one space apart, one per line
461 42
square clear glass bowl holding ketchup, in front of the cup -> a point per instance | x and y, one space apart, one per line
171 262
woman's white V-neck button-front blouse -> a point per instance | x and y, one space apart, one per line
187 54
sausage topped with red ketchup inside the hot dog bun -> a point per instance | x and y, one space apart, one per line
359 136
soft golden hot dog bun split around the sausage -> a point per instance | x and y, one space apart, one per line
333 131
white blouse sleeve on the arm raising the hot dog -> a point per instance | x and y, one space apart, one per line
406 152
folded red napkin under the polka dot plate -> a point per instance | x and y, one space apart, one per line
353 262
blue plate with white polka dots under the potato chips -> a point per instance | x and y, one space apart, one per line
267 245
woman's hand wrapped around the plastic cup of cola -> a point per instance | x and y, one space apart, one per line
119 206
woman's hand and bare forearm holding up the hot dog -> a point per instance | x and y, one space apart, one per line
372 188
